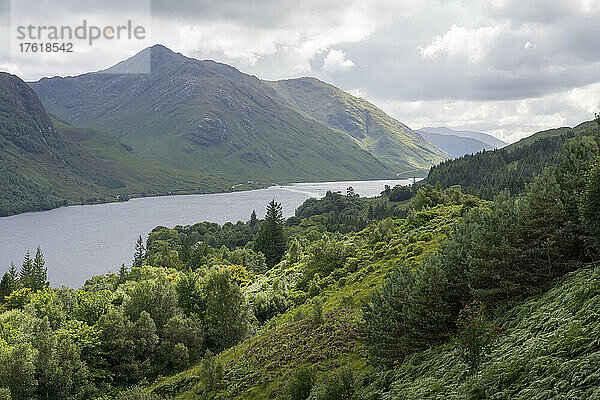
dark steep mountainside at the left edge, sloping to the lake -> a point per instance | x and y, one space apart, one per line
45 166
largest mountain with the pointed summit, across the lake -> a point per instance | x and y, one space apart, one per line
208 117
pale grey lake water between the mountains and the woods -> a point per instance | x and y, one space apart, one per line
81 241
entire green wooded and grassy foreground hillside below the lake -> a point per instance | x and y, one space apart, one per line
441 292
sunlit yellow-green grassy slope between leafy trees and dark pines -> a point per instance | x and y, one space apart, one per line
257 368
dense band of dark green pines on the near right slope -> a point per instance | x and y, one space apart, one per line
497 255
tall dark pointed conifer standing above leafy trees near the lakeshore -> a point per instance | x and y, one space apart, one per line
271 240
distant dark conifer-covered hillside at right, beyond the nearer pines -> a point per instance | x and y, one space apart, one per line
487 173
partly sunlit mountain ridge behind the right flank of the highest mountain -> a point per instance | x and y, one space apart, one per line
386 138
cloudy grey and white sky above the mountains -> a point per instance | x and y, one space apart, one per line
505 67
